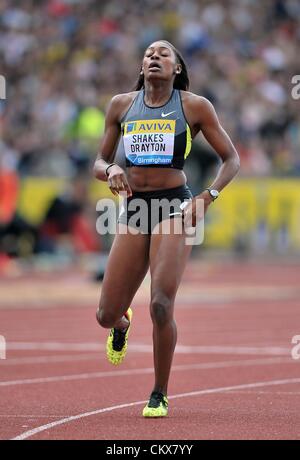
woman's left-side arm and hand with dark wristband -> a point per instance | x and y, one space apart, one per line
116 176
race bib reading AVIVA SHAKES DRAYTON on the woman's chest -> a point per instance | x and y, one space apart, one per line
149 142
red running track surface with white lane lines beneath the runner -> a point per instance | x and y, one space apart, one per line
233 375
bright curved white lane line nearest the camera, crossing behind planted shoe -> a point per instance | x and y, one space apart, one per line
48 426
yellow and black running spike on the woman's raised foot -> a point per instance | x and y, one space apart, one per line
116 345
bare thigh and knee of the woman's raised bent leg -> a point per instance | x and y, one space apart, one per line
127 266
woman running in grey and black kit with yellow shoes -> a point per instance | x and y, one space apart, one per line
157 123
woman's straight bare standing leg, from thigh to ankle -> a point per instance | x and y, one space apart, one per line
168 257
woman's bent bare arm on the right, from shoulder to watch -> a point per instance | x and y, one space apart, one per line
217 137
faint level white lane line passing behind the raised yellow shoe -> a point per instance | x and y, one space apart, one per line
147 348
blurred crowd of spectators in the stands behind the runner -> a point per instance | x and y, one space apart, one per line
64 59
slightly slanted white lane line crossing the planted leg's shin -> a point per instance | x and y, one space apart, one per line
146 370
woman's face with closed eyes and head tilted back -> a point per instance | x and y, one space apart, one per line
160 62
